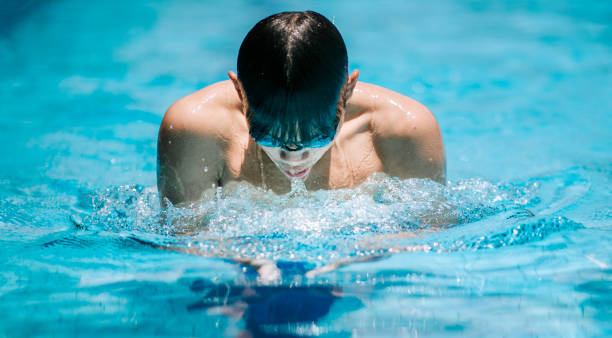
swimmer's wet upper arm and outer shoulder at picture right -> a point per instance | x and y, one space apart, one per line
409 142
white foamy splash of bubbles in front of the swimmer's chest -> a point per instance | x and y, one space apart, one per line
382 216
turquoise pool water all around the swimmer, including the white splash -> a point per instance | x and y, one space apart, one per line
520 89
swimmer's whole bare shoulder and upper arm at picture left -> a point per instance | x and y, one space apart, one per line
196 134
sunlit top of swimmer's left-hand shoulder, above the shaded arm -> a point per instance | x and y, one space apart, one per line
210 111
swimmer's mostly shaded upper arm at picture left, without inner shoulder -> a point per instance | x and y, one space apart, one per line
189 158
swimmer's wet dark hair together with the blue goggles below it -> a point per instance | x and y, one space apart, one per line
293 66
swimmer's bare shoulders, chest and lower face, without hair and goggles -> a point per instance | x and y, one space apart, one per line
204 143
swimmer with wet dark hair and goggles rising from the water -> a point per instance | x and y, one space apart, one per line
293 112
